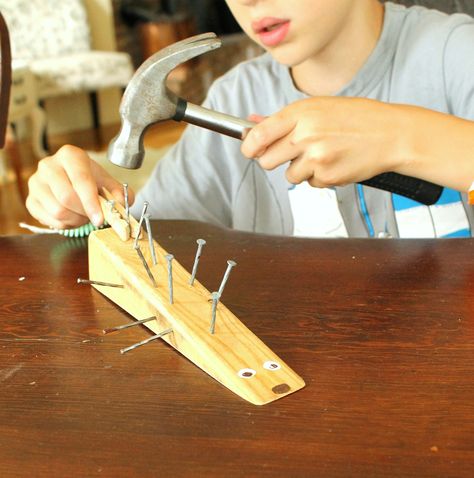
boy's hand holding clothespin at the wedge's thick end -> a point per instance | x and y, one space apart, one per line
63 192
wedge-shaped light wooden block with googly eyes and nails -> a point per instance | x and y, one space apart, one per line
233 355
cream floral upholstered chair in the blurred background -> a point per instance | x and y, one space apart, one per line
57 41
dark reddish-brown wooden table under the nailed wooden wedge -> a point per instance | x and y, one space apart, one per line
382 331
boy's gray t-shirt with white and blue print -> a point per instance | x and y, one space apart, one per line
422 58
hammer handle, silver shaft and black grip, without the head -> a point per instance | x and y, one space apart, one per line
413 188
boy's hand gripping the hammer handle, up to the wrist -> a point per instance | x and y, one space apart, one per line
330 141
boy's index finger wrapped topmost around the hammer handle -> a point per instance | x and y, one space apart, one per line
261 136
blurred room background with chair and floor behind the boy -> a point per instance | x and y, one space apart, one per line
72 60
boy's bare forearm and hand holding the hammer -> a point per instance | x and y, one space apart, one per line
335 141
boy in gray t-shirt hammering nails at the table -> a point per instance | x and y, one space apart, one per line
321 55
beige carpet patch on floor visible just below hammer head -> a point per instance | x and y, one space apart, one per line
135 178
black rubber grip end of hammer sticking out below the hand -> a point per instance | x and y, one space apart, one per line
413 188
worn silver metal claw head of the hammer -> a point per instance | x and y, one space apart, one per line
147 100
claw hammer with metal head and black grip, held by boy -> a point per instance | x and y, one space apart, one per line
147 100
